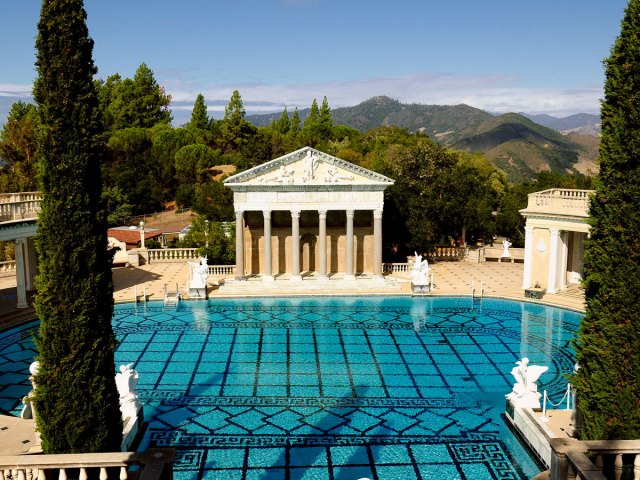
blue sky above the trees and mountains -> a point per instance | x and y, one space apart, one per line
537 56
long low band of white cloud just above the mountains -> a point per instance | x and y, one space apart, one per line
495 93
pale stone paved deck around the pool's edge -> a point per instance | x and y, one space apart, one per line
502 280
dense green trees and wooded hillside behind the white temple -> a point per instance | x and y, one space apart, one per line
441 195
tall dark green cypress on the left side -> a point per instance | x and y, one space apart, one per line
76 400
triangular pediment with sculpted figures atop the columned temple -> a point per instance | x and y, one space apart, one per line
307 167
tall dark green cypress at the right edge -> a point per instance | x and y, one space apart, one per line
608 344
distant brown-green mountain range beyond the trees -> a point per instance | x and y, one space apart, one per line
521 145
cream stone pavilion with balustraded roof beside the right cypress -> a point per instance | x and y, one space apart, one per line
555 231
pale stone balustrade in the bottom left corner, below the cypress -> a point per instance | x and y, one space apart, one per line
153 464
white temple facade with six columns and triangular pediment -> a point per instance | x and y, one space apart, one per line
308 213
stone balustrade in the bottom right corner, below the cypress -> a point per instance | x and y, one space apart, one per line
595 459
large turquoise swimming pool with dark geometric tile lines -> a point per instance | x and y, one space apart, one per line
330 388
